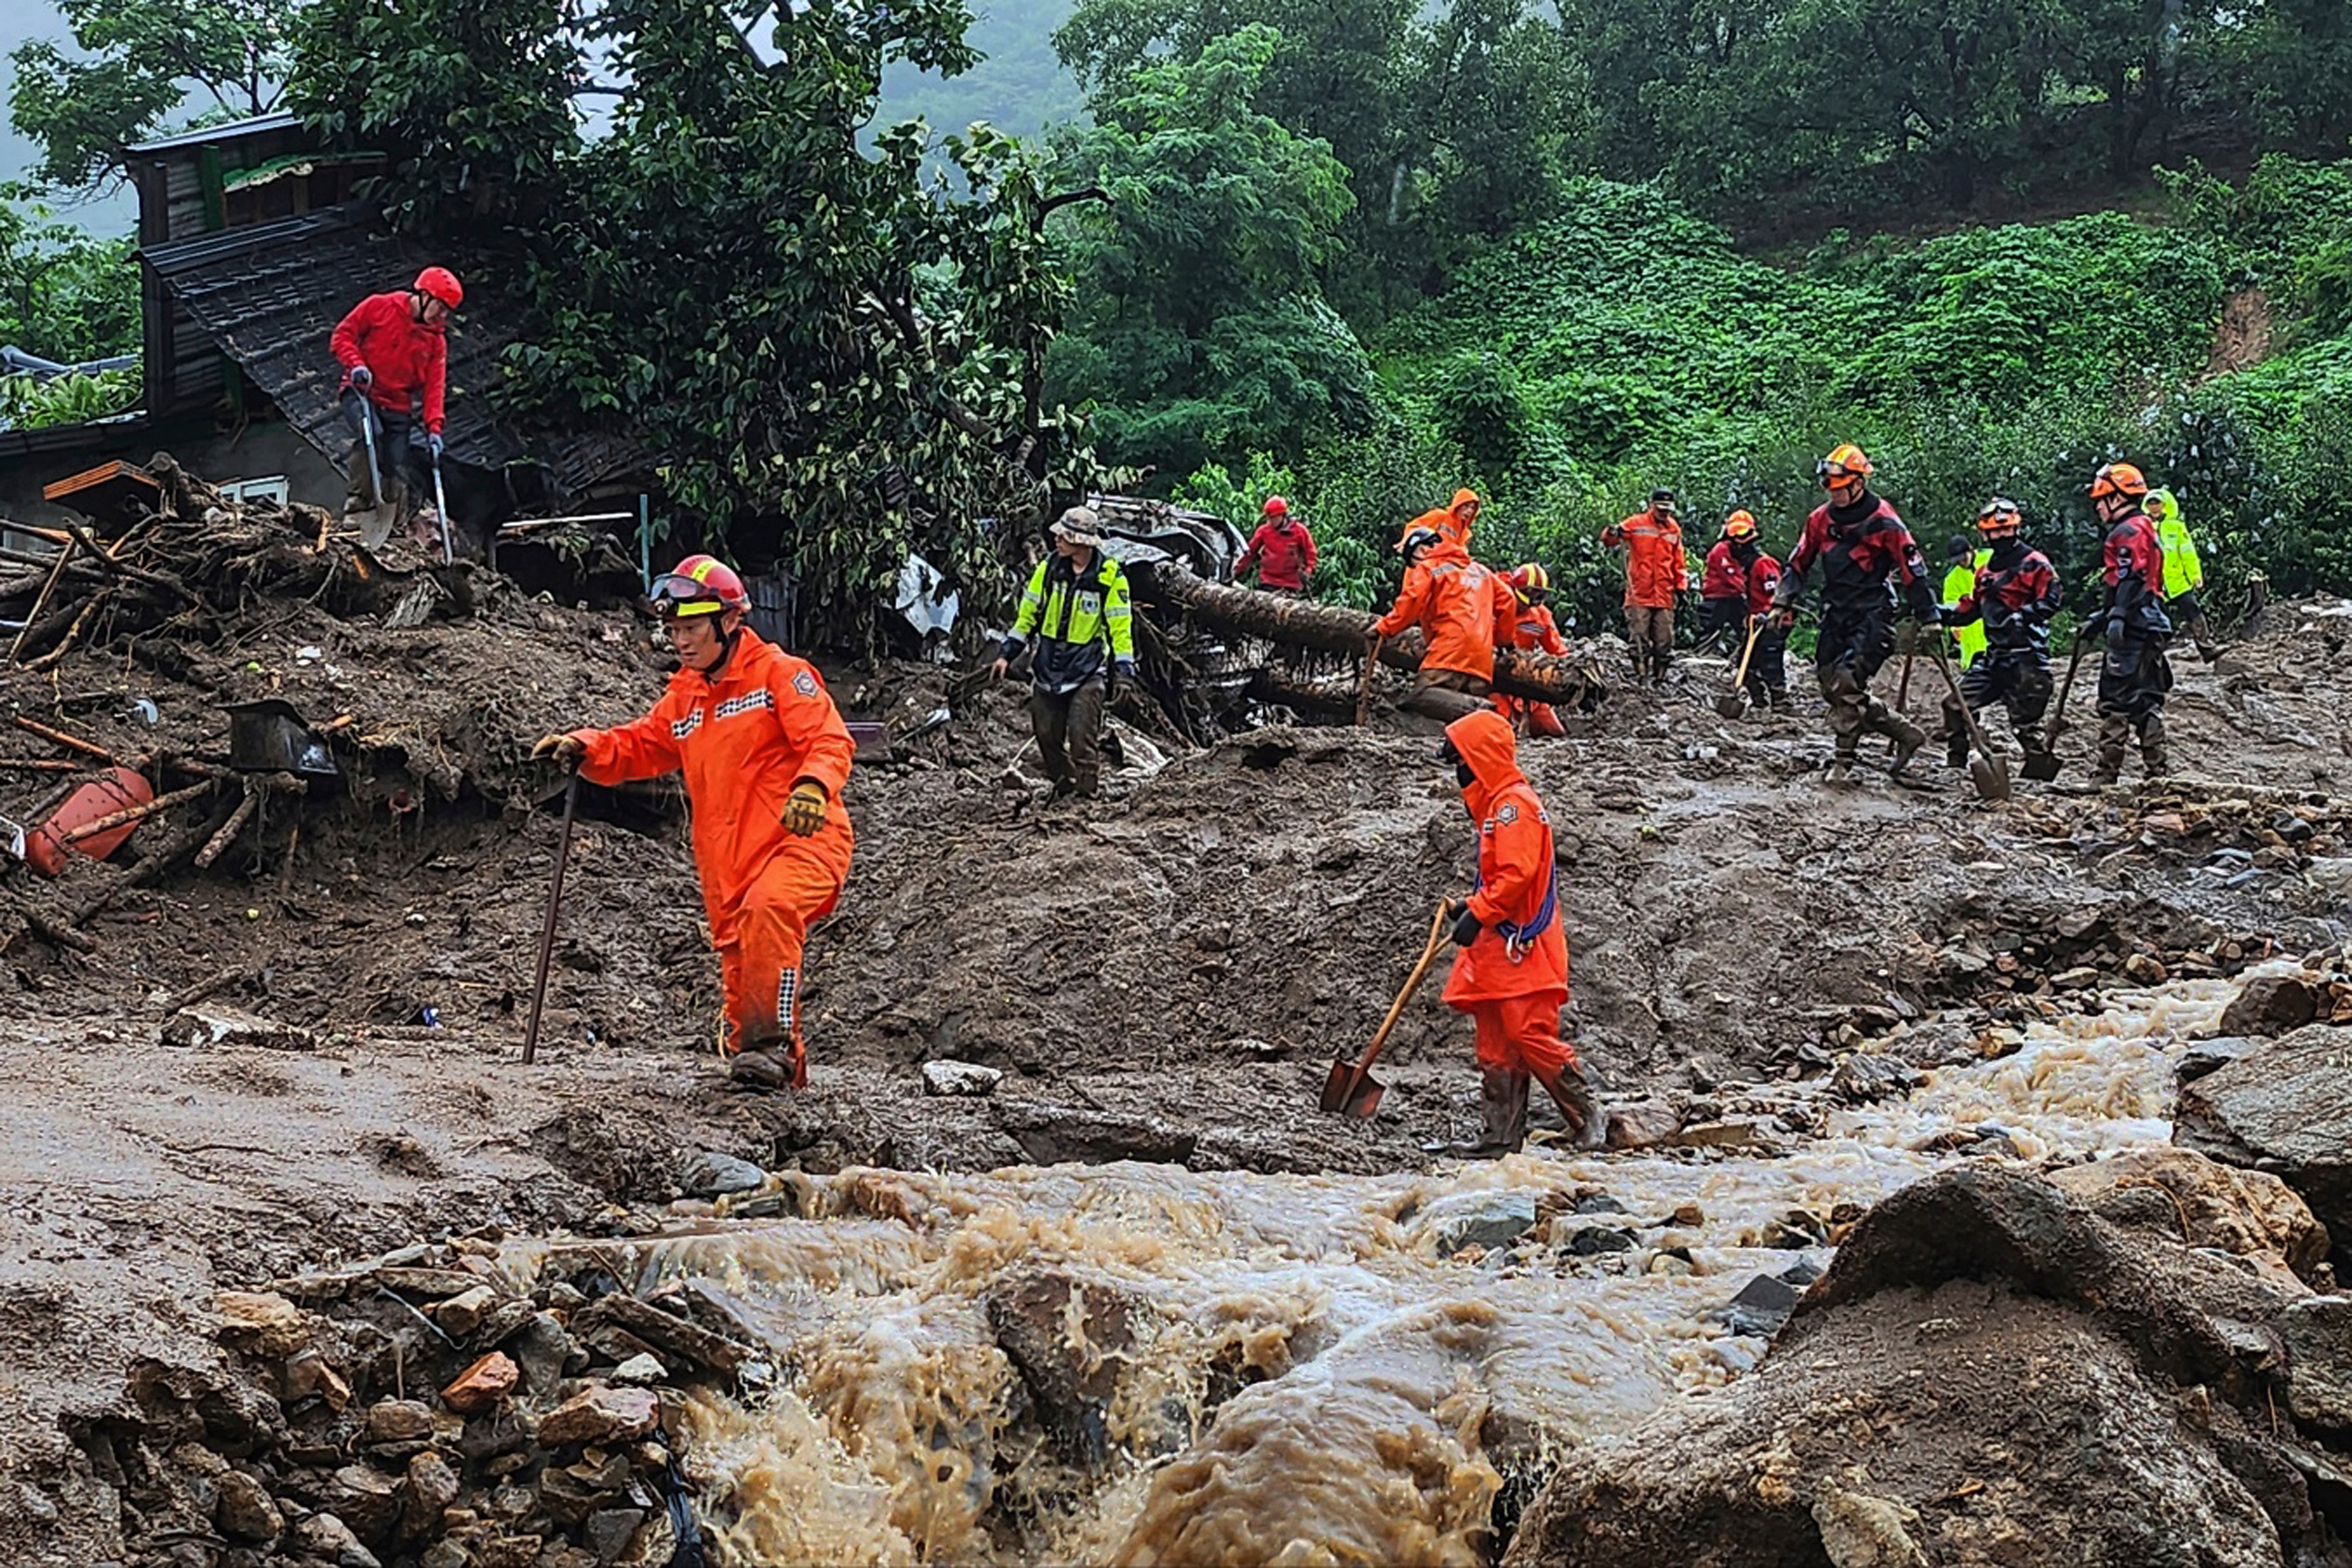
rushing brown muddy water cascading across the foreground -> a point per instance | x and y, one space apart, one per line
1262 1369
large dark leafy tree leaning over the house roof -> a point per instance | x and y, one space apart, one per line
836 356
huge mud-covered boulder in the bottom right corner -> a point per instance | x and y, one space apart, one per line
1989 1374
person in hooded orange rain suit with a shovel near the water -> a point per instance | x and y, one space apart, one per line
1514 965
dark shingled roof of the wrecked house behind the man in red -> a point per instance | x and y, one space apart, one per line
274 293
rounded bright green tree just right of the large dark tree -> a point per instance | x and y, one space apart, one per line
1201 328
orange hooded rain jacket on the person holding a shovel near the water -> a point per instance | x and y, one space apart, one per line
1521 949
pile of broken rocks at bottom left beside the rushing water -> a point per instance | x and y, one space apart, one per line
422 1414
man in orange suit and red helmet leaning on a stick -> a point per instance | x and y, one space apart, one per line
766 756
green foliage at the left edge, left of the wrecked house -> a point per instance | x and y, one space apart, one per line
62 293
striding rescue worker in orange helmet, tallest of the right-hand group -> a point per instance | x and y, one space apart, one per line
1864 554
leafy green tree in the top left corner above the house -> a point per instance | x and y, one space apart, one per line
145 58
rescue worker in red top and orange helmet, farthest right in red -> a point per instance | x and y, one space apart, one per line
2134 676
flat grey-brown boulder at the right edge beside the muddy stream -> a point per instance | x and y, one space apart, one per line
2283 1108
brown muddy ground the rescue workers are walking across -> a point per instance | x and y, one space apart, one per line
1161 977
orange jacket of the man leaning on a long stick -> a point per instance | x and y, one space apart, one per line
742 742
